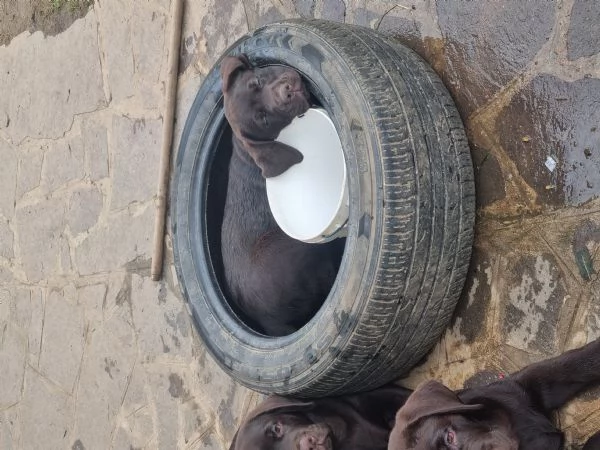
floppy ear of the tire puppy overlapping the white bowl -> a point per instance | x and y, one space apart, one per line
272 157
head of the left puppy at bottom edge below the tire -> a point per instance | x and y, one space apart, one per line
283 424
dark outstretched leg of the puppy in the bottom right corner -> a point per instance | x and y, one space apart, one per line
553 382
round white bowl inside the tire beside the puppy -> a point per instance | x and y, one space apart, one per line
309 201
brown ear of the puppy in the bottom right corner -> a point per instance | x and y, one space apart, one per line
429 399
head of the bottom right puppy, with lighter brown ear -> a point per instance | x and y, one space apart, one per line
434 418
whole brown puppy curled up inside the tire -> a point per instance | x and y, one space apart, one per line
277 282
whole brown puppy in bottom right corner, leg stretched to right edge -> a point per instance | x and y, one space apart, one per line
511 414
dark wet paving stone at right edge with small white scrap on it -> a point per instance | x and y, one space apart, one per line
556 119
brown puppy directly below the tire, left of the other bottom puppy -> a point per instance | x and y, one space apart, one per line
352 422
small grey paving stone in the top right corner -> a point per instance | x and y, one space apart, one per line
584 32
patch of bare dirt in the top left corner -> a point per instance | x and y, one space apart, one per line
49 16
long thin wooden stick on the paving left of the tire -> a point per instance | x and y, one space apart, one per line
165 156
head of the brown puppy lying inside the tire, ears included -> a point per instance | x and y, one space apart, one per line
259 103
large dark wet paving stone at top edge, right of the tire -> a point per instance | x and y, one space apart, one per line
488 44
